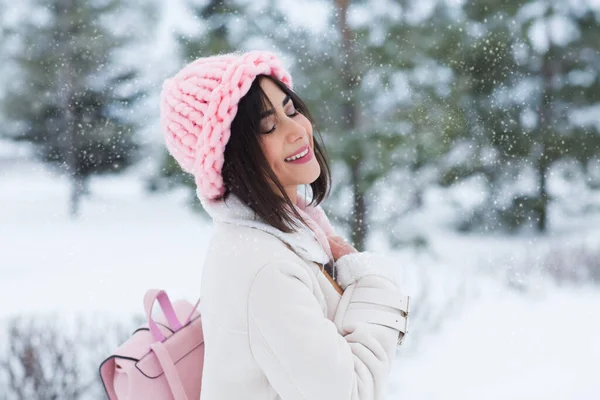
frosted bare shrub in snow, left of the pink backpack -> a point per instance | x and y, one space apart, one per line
47 358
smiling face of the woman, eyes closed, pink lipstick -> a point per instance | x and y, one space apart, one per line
286 133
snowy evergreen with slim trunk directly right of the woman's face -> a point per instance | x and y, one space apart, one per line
352 75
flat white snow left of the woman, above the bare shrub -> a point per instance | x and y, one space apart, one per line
124 242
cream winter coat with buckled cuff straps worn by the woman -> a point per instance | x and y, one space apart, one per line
275 327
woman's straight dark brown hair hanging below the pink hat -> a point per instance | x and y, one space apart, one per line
246 171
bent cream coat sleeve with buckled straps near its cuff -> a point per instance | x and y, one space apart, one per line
303 354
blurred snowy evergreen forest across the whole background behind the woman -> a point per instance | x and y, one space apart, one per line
500 96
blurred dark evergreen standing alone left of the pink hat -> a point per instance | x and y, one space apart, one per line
69 99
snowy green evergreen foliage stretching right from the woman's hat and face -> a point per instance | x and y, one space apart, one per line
462 92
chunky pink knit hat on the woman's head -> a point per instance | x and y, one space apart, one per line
198 104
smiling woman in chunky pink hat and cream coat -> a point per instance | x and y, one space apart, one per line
289 309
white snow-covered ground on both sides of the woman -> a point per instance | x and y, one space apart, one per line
483 327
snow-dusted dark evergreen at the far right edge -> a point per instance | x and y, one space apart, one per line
519 100
